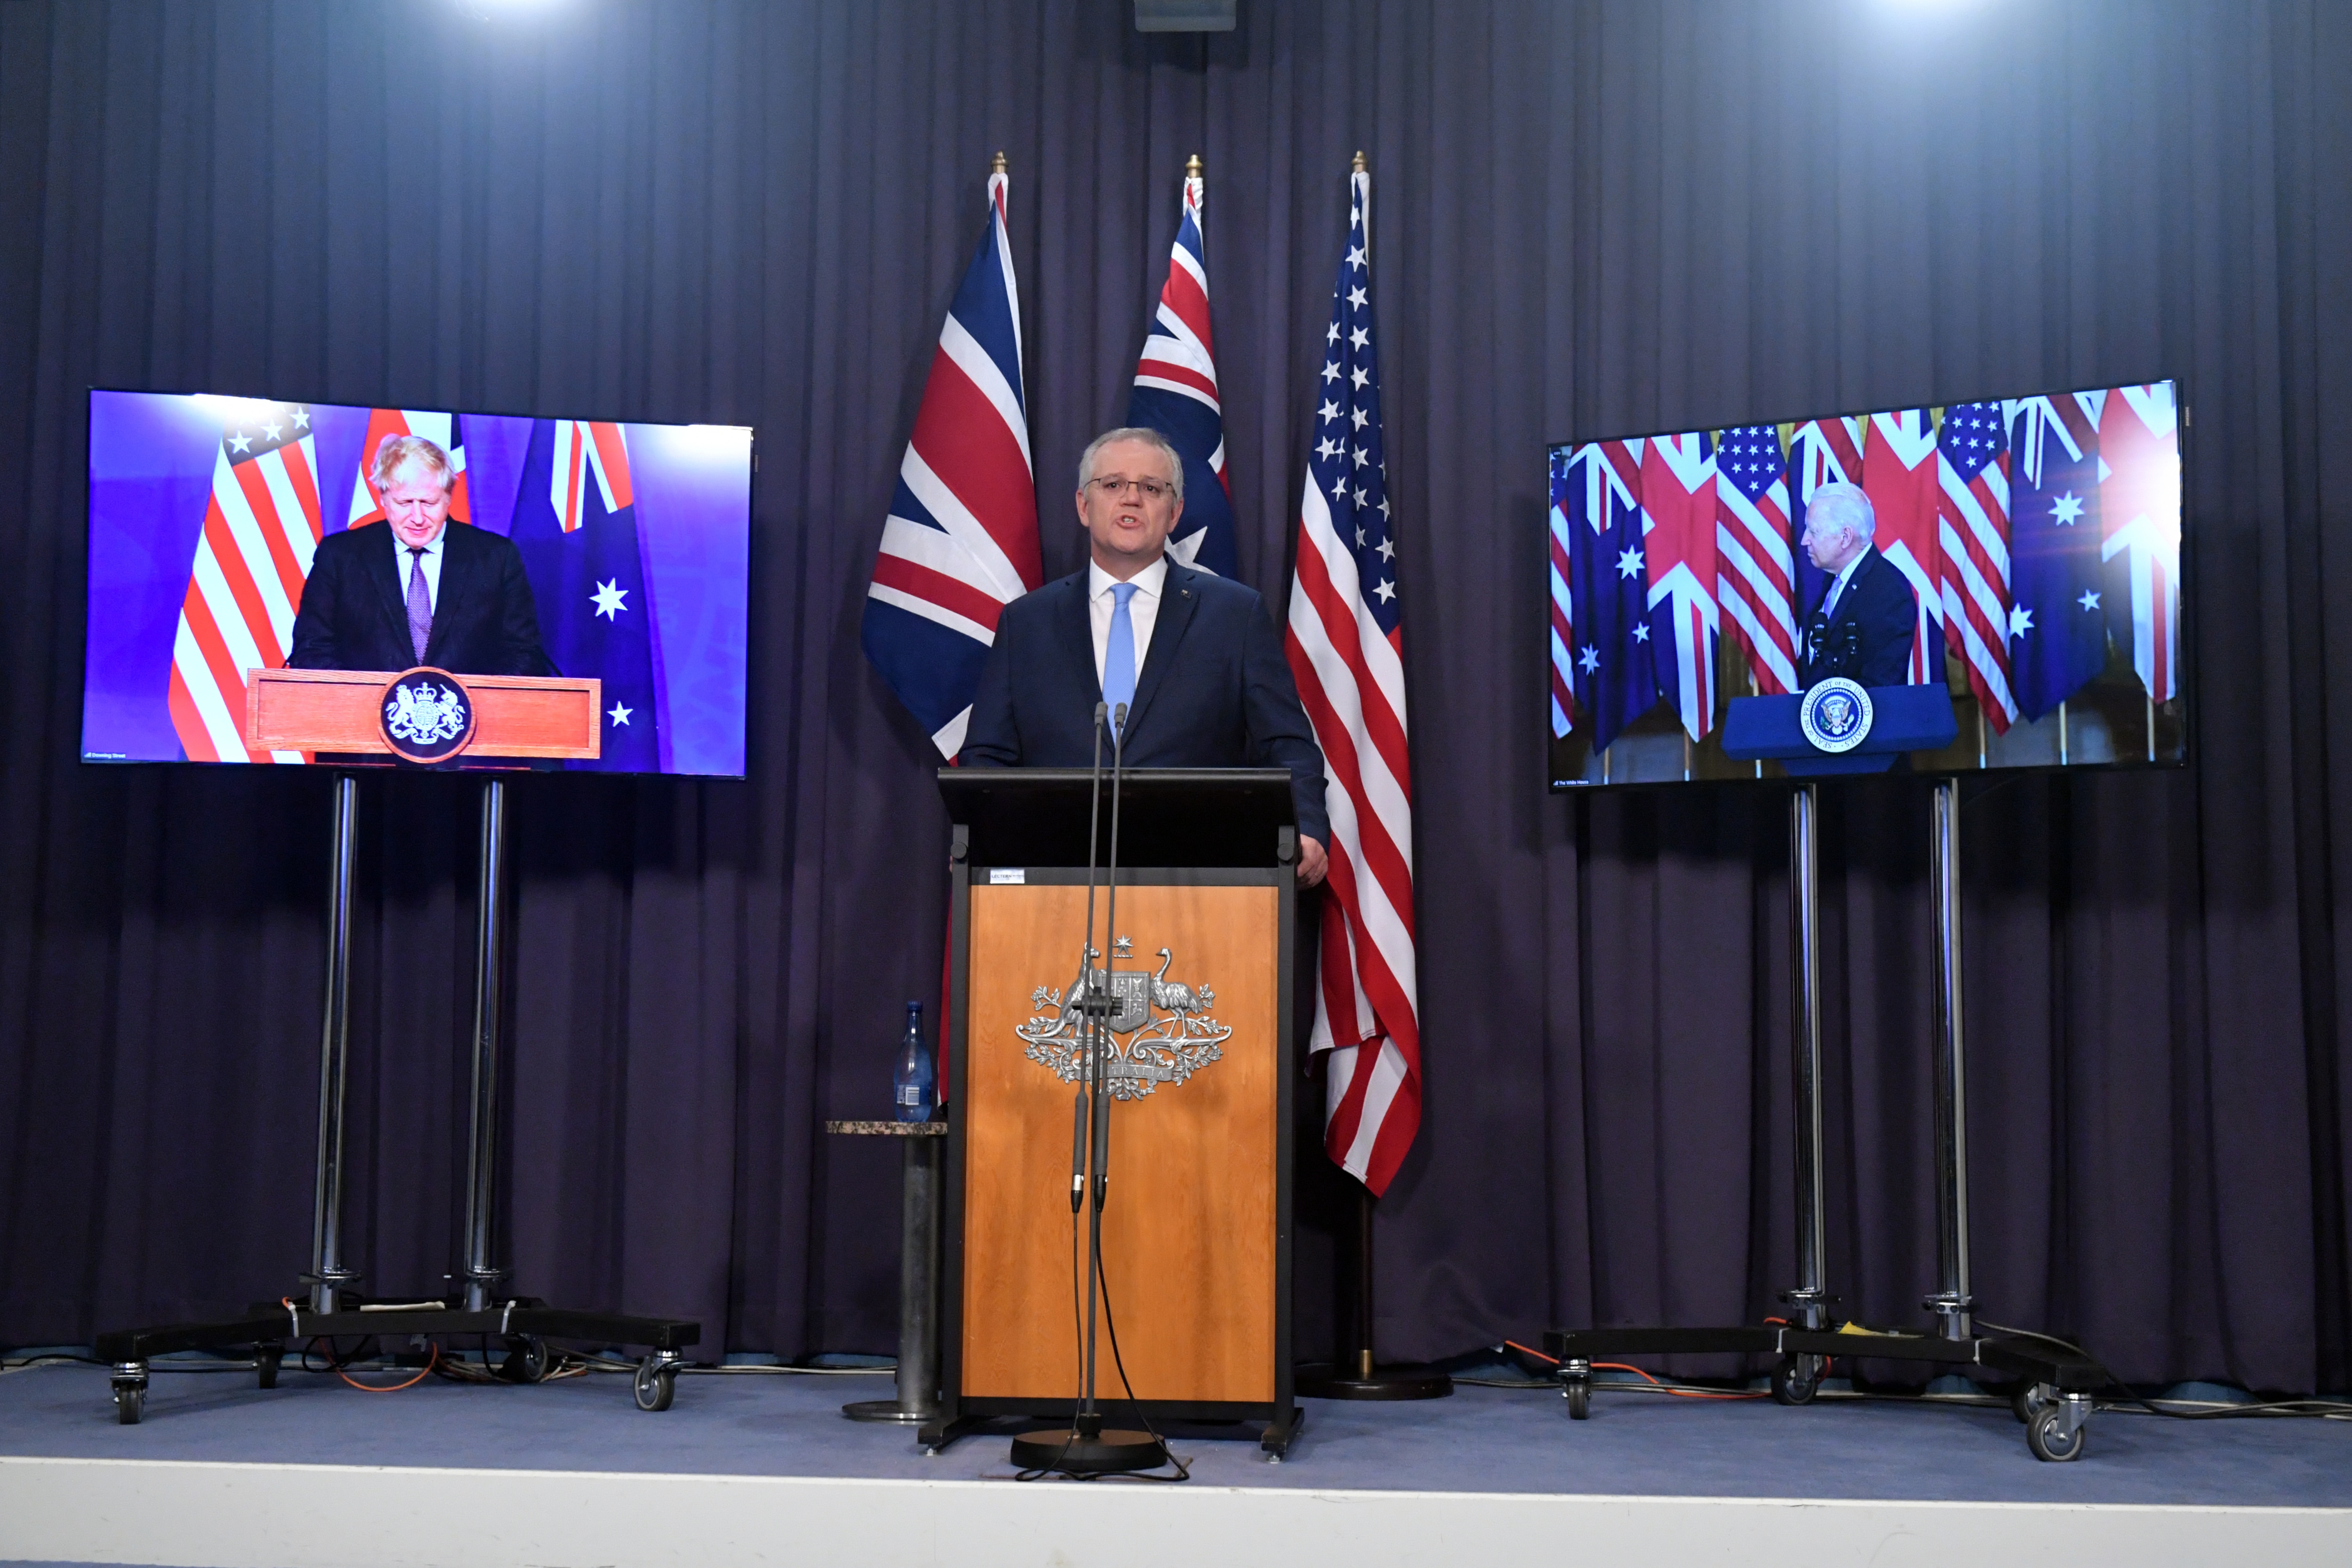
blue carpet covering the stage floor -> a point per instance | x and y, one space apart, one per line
1478 1440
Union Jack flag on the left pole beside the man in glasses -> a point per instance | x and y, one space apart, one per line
961 540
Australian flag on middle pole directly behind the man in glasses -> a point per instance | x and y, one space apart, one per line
1177 396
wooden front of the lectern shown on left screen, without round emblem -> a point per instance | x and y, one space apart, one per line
340 711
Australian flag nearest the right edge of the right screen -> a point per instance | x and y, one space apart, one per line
2057 624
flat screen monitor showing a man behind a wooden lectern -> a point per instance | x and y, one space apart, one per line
239 535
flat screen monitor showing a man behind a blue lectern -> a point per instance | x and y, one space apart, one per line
1944 589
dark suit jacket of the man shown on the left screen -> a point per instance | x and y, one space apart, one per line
354 615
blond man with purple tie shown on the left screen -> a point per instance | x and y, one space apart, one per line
417 591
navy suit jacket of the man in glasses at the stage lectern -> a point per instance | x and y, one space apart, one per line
1215 690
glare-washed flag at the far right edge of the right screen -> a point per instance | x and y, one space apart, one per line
2139 530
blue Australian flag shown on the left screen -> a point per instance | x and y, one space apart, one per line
577 530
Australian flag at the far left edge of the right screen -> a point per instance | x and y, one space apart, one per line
1612 659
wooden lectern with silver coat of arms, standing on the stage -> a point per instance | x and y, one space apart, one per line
1198 1212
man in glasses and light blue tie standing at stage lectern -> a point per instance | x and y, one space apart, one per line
1194 657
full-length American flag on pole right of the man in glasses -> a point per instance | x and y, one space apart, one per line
1347 650
